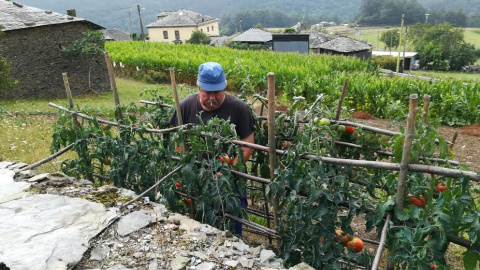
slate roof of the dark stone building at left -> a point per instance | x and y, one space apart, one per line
14 16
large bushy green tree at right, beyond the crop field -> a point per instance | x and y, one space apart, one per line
442 47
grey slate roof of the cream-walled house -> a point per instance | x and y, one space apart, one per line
181 17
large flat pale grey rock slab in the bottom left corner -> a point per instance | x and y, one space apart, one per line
51 232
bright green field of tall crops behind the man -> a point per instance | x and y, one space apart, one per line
453 103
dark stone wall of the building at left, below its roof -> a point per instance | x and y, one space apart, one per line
38 62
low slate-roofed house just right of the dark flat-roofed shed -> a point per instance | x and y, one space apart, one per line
343 46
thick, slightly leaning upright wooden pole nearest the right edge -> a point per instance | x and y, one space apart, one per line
407 148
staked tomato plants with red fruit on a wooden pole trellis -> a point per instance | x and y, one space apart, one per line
308 165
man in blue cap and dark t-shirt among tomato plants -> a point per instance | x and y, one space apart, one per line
212 101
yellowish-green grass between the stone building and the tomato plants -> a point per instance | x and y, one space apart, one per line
26 126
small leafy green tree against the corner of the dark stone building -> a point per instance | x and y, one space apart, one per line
89 47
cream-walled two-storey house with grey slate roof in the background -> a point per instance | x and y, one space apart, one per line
178 26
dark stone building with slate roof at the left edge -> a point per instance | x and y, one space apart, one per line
32 42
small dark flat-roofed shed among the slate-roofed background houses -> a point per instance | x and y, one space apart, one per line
291 43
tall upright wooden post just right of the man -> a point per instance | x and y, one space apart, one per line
271 138
